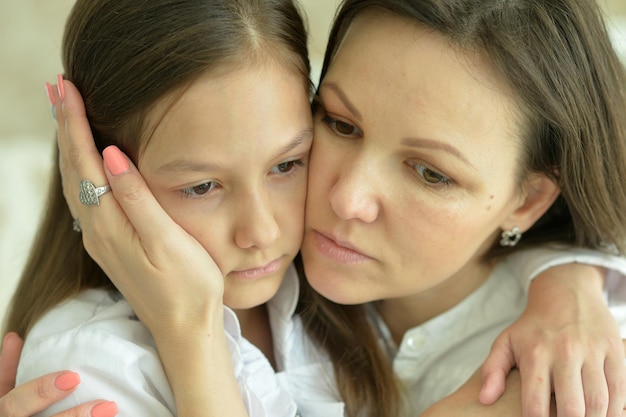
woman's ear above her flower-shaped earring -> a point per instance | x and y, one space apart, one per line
540 193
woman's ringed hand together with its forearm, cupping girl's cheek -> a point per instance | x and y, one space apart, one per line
169 279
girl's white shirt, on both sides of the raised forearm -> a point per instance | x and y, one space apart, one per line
97 335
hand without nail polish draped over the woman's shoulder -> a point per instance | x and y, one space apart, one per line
565 342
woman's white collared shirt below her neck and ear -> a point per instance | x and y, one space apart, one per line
437 357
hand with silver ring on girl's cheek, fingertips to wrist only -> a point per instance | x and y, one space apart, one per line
169 279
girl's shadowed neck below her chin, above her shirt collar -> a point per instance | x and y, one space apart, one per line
255 326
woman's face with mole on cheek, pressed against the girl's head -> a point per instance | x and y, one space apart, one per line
413 167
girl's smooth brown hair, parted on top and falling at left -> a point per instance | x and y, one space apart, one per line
124 56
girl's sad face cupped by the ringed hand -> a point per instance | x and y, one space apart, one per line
228 161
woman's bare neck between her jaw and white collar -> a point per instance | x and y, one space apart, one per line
402 314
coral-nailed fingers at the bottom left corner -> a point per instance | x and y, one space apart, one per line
37 395
